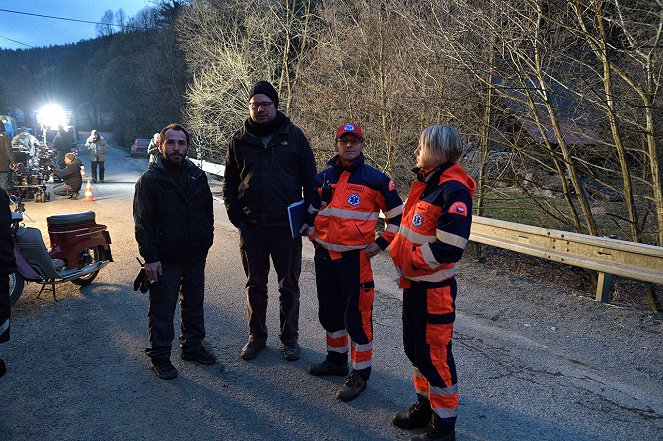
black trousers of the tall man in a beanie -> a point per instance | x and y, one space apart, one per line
257 244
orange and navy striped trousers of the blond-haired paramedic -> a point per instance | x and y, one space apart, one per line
428 318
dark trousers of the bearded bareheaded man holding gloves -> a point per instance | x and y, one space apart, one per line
185 281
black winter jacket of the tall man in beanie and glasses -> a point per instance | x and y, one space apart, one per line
260 182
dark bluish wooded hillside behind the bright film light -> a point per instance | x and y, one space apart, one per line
129 80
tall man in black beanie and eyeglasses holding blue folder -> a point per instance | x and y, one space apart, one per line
269 164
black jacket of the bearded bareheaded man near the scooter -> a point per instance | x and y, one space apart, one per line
172 226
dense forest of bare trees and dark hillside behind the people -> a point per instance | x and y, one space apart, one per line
558 100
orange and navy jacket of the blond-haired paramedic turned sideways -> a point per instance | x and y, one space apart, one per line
436 225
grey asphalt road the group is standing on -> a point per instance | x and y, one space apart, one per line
535 362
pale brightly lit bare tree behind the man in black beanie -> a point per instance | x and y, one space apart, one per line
231 44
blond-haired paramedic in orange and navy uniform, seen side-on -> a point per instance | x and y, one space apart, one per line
434 232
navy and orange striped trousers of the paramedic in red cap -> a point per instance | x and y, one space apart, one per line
345 295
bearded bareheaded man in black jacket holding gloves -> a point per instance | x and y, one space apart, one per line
174 221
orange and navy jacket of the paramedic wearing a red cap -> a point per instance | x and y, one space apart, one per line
348 222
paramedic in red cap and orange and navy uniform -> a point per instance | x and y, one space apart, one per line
349 197
